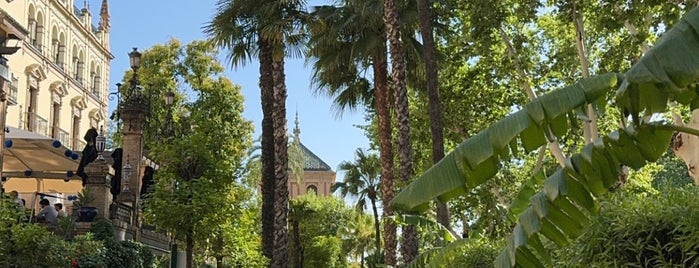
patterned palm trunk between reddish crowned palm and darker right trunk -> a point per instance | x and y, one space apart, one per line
409 246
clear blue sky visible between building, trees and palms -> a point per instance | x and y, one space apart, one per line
142 24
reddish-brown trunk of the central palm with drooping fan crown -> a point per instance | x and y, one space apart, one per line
383 116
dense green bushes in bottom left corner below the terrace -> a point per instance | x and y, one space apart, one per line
33 245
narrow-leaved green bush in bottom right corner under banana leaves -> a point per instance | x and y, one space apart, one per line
656 230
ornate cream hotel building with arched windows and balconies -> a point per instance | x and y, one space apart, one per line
60 76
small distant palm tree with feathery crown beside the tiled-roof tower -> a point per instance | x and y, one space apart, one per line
363 182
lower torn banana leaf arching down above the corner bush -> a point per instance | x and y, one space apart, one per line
557 212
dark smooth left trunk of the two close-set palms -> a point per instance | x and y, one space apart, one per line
267 143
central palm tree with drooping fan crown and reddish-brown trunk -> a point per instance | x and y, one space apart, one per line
344 41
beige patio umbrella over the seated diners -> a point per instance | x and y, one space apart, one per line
32 155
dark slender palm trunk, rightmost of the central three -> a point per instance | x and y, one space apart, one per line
429 52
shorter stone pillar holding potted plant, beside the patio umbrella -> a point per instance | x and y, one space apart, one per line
99 181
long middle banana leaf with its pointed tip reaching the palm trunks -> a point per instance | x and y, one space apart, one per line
476 159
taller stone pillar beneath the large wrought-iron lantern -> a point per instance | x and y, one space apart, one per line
133 114
